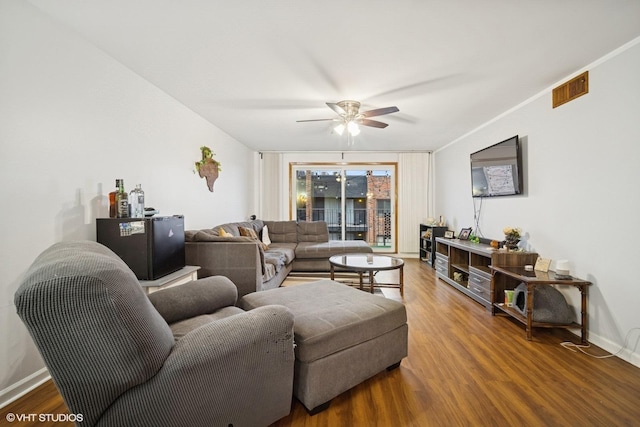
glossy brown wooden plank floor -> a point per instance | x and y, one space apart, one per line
464 368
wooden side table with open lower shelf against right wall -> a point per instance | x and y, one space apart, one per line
508 277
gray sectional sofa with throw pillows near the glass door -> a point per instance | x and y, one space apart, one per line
295 246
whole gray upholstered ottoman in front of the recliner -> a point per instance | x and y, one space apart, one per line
343 336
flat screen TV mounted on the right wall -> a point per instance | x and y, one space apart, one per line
497 170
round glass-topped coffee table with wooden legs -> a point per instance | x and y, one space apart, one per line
370 264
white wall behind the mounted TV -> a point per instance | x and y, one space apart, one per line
581 201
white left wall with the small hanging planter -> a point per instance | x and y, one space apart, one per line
72 120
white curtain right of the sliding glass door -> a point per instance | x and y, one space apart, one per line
414 196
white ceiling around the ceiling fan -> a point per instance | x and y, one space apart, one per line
254 67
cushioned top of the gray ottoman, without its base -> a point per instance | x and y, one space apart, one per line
330 317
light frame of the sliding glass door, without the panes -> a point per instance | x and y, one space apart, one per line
343 167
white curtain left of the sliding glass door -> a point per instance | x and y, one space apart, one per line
270 196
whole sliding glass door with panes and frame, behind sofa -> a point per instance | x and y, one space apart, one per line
356 200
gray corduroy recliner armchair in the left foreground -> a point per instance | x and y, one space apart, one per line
116 360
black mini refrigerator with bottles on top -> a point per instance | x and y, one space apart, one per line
152 247
